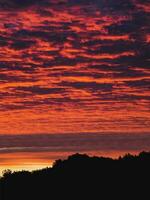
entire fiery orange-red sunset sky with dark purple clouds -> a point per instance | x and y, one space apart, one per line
74 77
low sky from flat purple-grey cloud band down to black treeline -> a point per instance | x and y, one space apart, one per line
40 151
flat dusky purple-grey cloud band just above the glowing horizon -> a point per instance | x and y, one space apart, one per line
74 142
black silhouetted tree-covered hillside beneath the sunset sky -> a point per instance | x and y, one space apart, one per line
82 177
